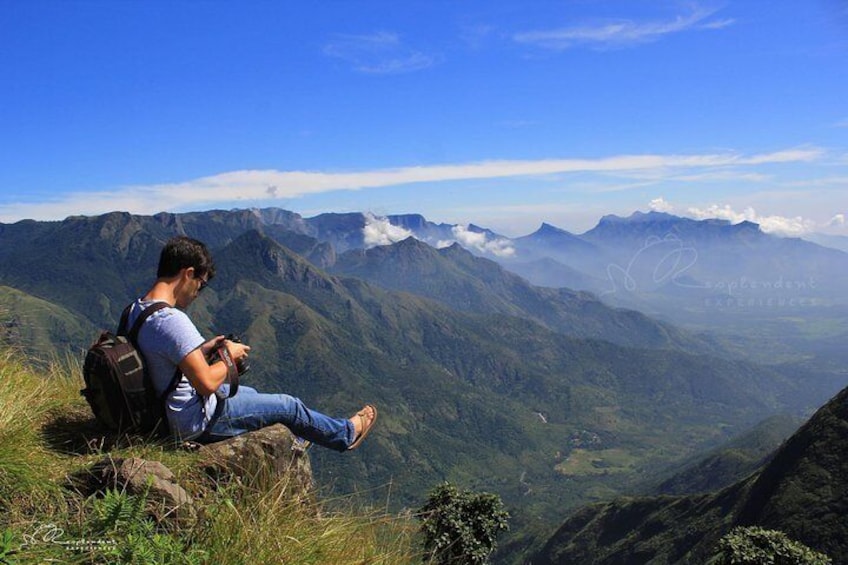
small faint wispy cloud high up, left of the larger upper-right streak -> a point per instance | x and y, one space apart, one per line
380 53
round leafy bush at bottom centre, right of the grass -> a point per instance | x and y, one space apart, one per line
460 527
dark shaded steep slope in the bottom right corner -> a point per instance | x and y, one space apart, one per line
801 491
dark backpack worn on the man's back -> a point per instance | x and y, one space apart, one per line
118 386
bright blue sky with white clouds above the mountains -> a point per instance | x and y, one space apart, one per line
504 114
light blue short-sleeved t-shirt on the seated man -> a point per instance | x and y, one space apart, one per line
165 338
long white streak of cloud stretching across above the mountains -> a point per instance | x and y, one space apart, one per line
271 187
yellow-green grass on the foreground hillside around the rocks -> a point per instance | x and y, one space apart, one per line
46 436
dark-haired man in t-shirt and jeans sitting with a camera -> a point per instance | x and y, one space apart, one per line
198 408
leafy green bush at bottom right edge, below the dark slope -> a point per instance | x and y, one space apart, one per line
758 546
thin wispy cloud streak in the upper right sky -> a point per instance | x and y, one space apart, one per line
614 34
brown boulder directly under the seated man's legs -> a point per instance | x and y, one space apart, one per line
267 458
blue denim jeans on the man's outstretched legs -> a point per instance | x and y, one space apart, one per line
251 410
